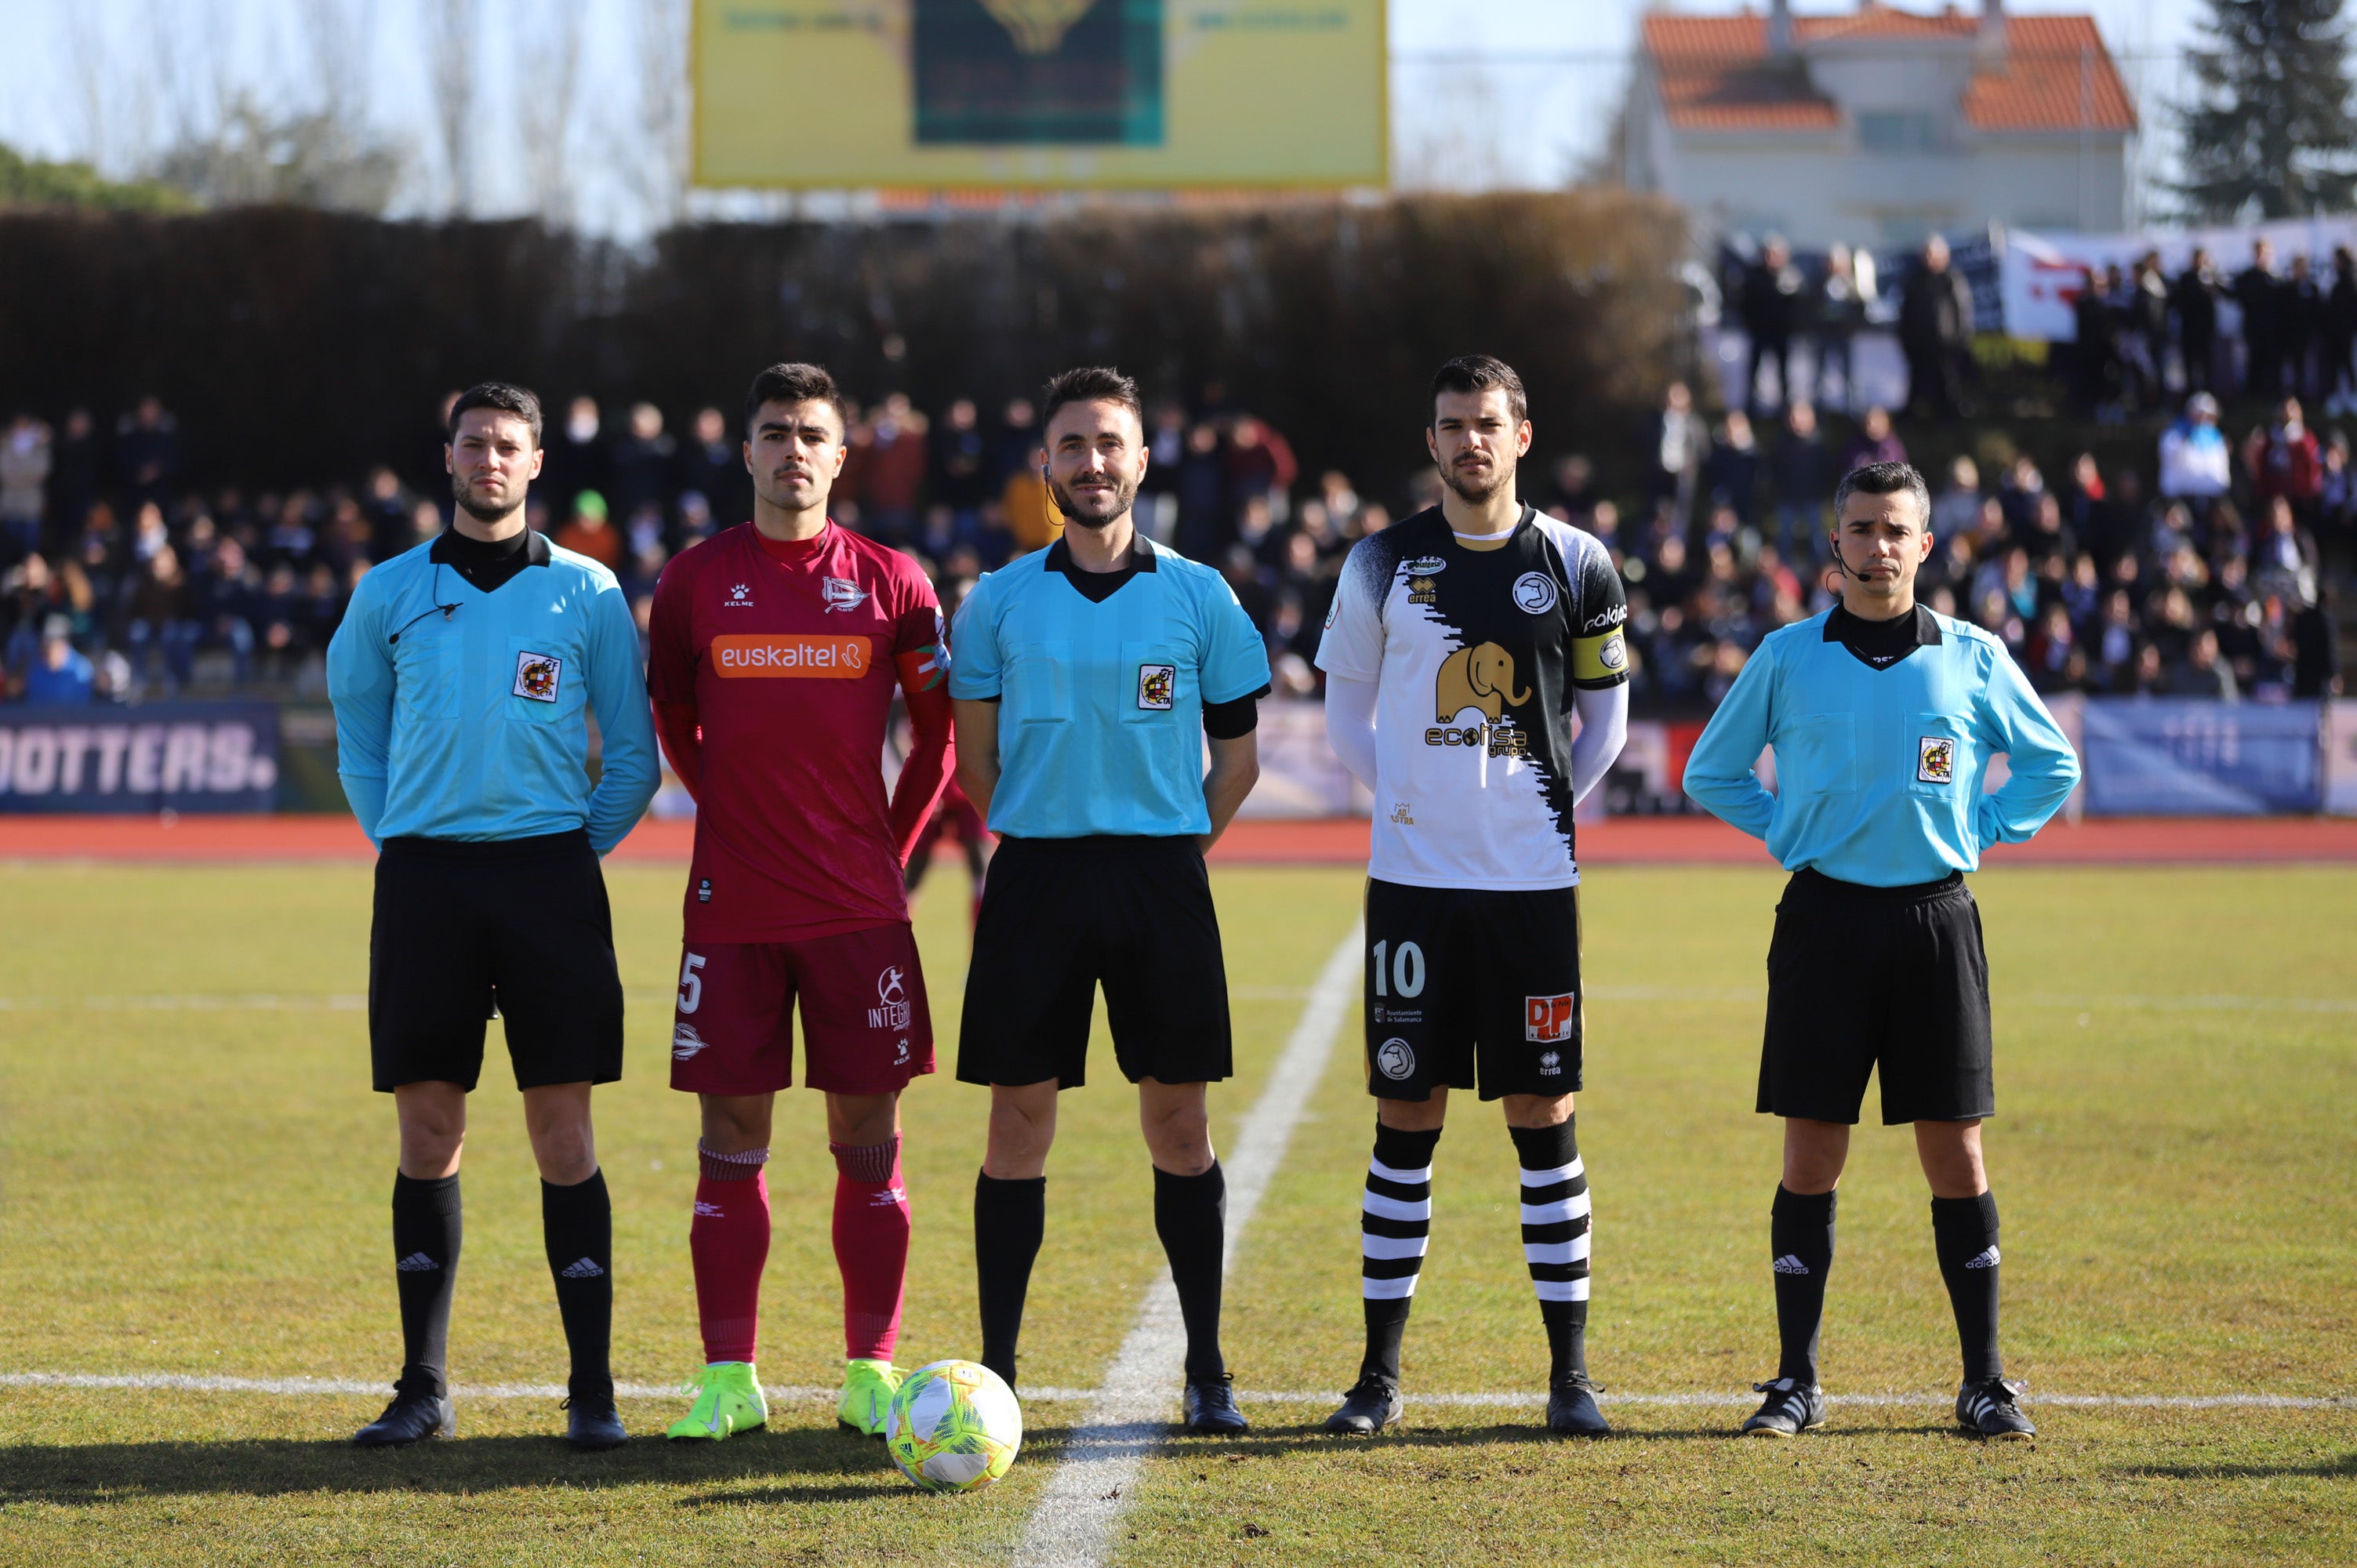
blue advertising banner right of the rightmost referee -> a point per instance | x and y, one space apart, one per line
2191 758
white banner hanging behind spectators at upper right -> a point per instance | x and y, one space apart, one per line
2040 272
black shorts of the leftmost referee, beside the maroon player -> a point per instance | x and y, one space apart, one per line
520 925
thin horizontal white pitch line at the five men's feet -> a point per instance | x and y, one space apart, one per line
807 1395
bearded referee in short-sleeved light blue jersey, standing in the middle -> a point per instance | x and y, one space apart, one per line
1085 680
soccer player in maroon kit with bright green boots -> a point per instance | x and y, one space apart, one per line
777 647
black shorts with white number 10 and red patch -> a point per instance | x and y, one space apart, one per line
1472 989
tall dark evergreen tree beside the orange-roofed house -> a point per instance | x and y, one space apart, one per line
2271 121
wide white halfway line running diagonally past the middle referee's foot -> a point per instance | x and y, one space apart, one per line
1071 1527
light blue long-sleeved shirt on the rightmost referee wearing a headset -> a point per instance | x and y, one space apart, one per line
1880 772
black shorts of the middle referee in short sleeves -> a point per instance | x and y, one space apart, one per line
1064 916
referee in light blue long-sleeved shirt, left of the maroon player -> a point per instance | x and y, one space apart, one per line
463 680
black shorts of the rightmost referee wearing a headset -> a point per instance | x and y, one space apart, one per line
1877 977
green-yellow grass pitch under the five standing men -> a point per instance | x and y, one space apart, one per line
194 1180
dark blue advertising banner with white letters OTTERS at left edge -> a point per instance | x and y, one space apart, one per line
152 758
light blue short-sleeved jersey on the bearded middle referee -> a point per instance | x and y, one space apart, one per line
1102 704
